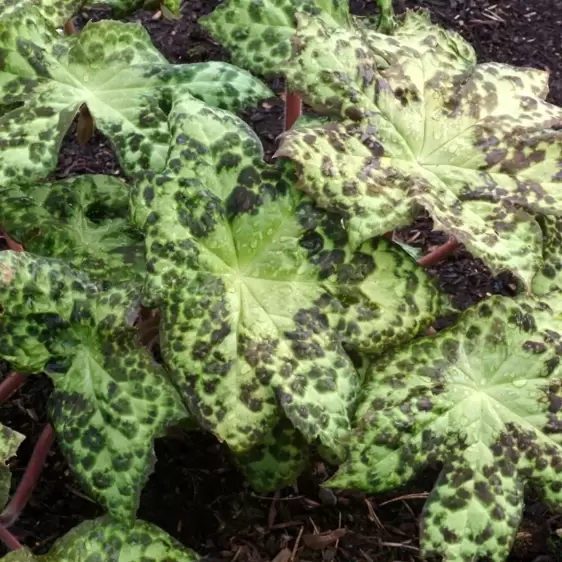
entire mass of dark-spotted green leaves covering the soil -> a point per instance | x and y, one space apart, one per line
264 290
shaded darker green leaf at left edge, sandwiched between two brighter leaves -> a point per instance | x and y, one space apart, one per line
83 220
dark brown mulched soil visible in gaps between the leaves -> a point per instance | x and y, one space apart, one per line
195 494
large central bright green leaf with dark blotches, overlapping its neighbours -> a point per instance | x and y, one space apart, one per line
259 290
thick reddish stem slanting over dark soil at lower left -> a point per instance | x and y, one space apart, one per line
19 500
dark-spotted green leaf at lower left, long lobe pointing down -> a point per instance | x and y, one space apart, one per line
110 399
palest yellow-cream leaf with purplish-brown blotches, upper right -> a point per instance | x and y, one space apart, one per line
432 130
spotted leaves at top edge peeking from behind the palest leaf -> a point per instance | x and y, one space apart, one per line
259 34
